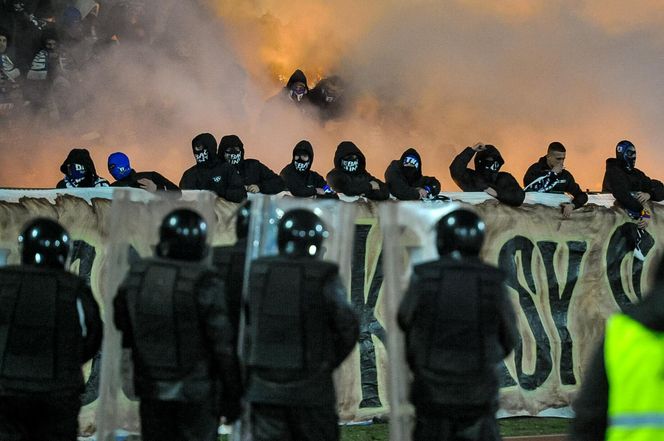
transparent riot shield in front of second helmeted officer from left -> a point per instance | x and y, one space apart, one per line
132 233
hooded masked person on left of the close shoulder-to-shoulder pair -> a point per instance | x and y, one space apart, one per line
210 173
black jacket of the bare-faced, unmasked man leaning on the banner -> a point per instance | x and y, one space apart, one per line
540 178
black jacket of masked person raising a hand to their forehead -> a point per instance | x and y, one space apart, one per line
508 189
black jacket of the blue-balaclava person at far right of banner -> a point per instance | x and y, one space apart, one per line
621 183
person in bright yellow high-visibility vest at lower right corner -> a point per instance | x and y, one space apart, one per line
622 397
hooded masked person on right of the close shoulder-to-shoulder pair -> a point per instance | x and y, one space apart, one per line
256 177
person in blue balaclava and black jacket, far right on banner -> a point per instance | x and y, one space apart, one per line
623 180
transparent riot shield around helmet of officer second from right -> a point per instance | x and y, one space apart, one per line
339 219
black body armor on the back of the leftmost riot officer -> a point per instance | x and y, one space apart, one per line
41 334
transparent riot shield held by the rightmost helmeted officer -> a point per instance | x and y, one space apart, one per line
409 238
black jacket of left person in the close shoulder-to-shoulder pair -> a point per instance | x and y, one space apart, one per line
218 177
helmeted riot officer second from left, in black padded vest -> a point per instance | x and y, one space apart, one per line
172 314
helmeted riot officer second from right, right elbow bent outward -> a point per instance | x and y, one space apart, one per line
300 328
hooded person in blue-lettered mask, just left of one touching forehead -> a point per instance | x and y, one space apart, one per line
405 181
